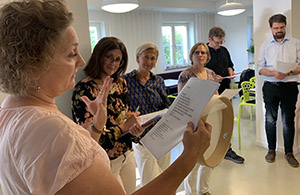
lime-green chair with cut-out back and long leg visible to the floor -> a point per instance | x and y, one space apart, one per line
245 100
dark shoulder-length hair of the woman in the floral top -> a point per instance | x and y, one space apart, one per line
106 44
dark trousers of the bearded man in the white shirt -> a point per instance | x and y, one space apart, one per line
284 95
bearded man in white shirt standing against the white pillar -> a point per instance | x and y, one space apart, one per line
280 88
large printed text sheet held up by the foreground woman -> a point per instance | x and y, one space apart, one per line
188 106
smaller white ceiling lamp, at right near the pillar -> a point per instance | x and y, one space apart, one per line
231 9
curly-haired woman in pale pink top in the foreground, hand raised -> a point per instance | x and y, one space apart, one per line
43 151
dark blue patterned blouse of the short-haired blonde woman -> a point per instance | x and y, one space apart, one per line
150 97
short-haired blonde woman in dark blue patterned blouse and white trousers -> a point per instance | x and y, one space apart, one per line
148 92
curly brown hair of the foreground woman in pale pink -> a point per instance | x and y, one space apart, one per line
29 34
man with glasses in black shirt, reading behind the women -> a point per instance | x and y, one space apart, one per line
222 65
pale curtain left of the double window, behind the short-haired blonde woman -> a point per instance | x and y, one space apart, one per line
134 28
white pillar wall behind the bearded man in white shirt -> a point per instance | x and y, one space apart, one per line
263 9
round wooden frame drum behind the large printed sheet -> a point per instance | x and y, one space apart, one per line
222 127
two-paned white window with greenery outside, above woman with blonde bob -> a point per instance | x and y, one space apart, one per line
175 44
